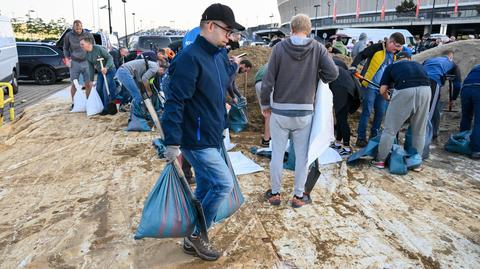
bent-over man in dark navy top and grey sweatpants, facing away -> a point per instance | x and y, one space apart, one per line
409 100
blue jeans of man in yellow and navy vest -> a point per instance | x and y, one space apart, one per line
372 102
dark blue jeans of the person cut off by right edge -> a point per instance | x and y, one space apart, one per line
471 111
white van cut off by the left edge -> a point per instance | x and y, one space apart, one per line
9 65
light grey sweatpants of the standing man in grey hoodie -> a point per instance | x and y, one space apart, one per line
281 127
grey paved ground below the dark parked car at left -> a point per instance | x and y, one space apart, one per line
30 93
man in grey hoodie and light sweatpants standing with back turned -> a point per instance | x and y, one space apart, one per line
294 69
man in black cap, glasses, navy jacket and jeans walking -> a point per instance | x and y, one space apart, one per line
195 116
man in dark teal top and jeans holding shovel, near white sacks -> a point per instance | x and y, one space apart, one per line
99 59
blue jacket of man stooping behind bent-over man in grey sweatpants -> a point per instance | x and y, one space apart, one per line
438 67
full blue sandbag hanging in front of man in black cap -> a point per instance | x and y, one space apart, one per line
169 211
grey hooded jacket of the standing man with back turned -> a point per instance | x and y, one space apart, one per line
293 72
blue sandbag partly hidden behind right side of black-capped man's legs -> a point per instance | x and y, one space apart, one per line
235 200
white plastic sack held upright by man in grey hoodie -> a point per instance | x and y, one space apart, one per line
321 134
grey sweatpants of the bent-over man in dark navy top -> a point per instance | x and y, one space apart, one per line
410 103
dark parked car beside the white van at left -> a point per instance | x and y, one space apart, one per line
41 62
